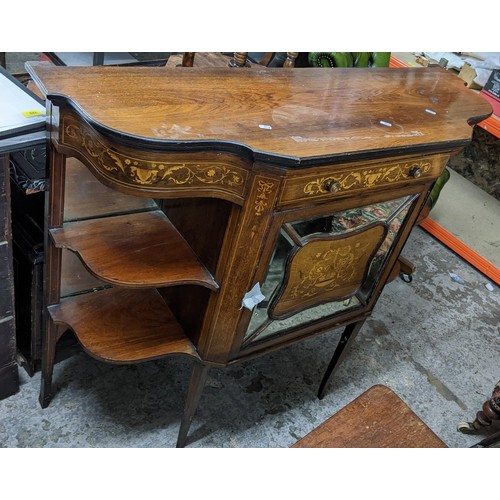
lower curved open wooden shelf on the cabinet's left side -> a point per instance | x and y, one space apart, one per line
123 325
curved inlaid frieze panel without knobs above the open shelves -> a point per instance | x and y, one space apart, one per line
157 173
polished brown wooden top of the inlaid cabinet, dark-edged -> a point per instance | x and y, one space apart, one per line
298 113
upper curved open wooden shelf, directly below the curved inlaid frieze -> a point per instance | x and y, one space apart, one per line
140 250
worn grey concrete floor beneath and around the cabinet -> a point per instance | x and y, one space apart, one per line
434 341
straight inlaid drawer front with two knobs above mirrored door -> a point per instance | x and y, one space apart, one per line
334 181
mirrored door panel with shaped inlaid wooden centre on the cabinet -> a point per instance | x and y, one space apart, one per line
324 266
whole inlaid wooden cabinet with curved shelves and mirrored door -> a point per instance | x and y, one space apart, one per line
261 206
